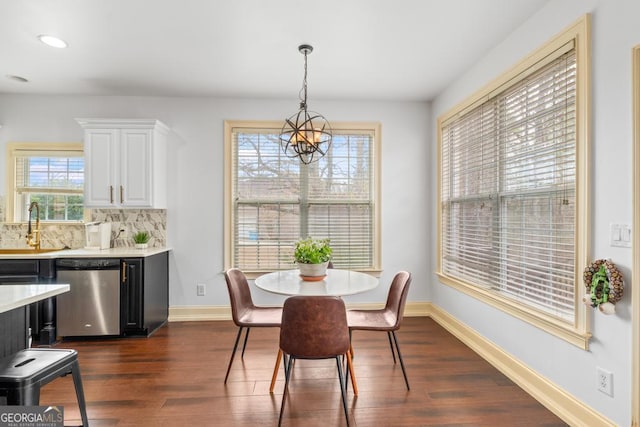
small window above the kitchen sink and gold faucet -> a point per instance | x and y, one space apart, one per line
50 174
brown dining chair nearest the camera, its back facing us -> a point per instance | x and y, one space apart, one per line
315 327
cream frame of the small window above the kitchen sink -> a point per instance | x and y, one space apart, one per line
41 148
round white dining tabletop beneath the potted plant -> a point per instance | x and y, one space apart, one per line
336 283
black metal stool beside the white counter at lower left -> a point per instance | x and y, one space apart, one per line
24 372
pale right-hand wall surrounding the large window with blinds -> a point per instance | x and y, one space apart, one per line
615 30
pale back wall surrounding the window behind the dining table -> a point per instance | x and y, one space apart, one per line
195 175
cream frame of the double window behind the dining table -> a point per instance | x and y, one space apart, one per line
229 218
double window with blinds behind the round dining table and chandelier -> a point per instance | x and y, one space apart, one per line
273 200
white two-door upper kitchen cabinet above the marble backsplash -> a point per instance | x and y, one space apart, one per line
125 163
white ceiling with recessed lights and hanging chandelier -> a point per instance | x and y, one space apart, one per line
363 49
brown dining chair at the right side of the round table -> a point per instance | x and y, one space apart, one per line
387 319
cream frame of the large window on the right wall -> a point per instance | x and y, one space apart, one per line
577 332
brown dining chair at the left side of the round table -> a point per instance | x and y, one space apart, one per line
245 314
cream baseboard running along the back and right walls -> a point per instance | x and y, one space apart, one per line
558 401
